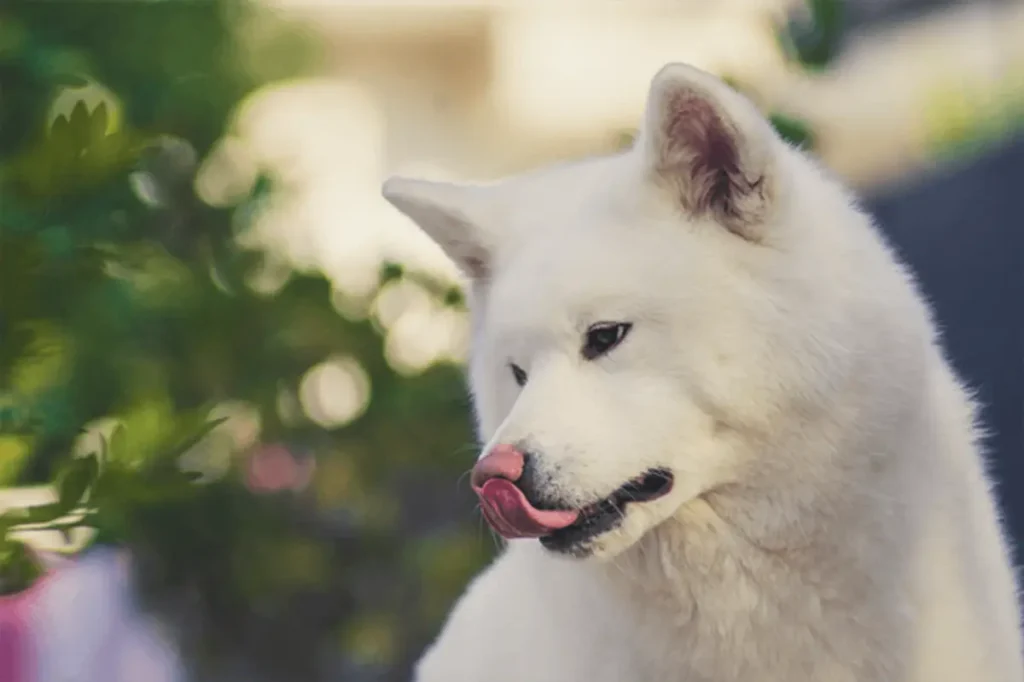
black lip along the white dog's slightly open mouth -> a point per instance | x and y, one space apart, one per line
607 515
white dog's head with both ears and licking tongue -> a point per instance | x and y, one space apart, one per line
646 324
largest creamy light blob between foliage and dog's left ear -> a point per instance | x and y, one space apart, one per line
325 139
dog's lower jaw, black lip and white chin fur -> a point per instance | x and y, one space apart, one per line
612 526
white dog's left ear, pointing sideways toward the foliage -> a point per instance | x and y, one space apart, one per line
452 216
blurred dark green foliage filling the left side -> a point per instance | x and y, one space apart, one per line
125 300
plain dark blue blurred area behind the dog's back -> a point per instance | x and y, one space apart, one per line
963 233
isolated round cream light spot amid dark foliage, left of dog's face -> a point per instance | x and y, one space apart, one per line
335 393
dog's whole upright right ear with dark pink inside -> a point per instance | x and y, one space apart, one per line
710 147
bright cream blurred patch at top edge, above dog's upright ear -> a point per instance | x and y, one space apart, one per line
562 76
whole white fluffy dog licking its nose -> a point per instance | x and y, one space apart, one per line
711 391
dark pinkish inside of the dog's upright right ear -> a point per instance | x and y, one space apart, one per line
701 152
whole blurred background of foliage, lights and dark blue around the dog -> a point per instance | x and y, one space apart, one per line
231 376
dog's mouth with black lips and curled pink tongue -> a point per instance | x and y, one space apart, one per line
511 515
